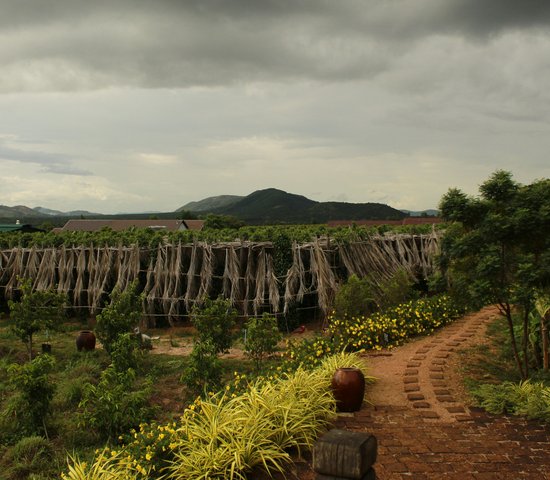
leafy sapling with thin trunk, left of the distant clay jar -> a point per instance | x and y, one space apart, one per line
37 310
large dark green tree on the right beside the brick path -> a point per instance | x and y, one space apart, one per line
497 249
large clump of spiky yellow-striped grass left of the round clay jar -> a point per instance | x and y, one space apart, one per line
225 437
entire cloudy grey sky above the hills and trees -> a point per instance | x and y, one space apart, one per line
128 105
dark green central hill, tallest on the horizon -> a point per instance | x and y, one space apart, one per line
271 206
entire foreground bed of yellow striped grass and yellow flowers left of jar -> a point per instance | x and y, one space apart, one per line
226 436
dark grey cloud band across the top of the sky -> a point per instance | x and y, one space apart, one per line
71 45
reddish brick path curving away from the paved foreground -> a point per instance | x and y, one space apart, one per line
425 432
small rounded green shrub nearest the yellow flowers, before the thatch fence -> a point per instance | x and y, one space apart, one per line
262 336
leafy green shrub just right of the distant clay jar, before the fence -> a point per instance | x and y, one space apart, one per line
119 317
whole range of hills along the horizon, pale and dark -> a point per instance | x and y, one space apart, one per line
268 206
